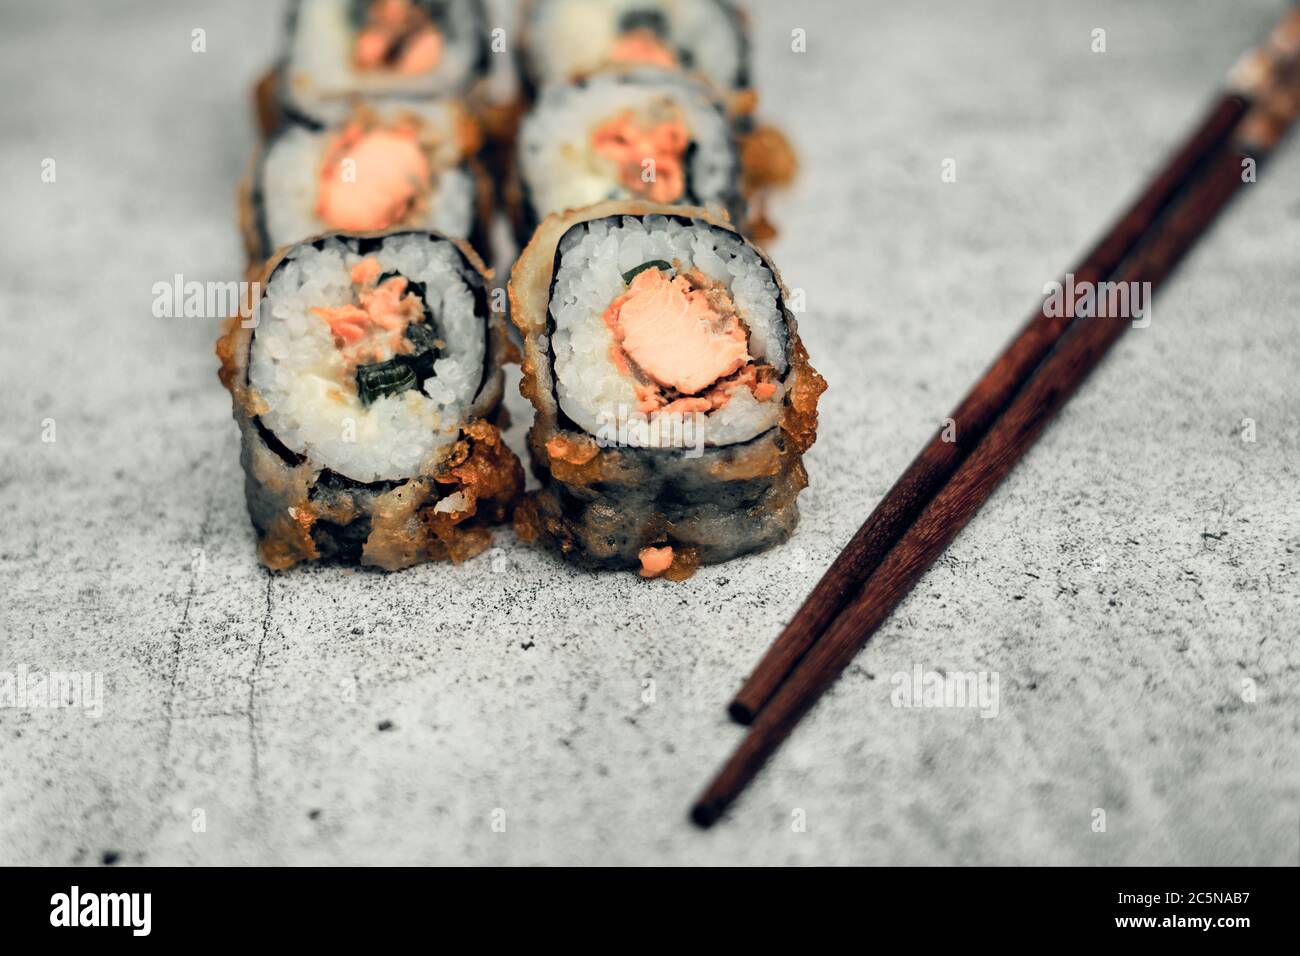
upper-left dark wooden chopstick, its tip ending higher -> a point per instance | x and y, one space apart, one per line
986 401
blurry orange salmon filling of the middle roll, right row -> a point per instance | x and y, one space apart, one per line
643 149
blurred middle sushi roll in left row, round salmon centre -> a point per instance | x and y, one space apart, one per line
383 168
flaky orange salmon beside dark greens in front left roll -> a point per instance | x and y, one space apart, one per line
375 328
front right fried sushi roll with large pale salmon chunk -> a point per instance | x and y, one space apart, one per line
674 399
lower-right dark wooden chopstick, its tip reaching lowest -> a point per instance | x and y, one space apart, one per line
1051 386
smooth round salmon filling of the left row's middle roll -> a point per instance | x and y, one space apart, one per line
372 179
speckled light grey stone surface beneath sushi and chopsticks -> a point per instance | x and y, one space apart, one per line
1134 572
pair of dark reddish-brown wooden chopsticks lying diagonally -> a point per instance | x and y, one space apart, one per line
1007 410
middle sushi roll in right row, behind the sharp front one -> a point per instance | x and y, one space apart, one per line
642 135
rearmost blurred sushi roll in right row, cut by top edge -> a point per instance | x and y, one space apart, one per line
570 40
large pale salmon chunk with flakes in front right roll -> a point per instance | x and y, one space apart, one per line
684 343
